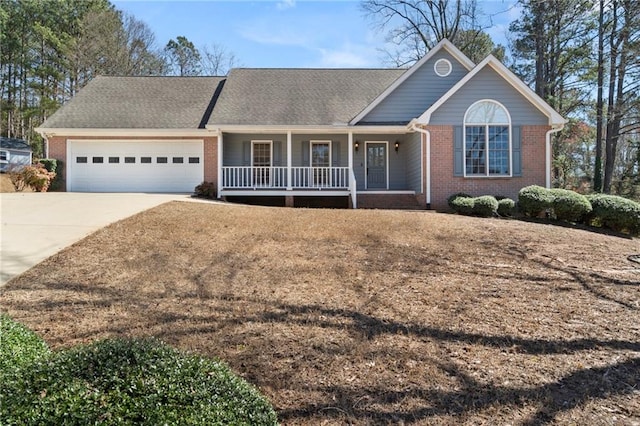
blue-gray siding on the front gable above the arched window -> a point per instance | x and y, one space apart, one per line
488 84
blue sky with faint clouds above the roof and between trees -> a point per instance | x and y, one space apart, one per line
286 33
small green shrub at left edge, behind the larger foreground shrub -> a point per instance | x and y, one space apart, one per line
19 347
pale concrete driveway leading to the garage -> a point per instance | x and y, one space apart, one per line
38 225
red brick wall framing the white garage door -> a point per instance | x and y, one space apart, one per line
58 150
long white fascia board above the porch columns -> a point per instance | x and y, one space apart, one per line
313 129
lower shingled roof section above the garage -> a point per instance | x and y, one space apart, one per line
139 103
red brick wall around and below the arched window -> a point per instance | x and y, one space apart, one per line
443 183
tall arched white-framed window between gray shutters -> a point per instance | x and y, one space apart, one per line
487 139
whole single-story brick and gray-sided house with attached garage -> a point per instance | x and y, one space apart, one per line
376 137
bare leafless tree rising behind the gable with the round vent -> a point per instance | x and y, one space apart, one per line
415 26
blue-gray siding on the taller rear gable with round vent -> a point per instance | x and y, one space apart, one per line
415 95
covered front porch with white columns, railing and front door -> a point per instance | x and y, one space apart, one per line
319 165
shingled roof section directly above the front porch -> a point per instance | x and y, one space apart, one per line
259 96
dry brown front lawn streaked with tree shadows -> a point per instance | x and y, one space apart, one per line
365 317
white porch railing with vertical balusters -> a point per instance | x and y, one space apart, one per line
245 177
